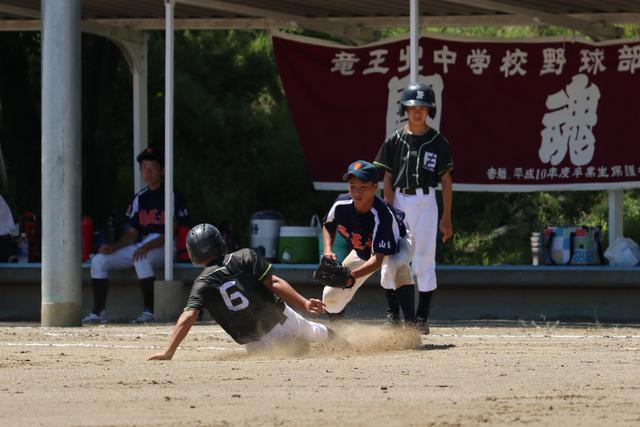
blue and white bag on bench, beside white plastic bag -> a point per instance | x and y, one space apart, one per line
572 245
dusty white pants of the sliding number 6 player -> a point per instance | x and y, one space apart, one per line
294 328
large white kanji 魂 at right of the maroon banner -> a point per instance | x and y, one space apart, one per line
569 125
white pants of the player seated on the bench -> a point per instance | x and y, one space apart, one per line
101 264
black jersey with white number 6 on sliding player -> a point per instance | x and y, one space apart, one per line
235 297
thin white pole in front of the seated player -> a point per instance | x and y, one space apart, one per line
168 142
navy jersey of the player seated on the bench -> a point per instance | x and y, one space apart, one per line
146 211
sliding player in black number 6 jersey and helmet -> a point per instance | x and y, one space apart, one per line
244 297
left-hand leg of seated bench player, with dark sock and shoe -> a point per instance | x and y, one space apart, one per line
101 264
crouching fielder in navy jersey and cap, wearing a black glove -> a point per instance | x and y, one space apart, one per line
379 239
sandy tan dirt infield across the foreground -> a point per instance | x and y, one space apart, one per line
491 374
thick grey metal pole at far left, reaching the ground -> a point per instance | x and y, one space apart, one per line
61 164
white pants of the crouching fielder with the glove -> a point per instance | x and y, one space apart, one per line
395 271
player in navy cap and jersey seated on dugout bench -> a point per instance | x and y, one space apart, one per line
142 245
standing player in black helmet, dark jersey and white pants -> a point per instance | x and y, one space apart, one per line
415 159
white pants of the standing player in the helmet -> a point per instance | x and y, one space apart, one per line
421 218
